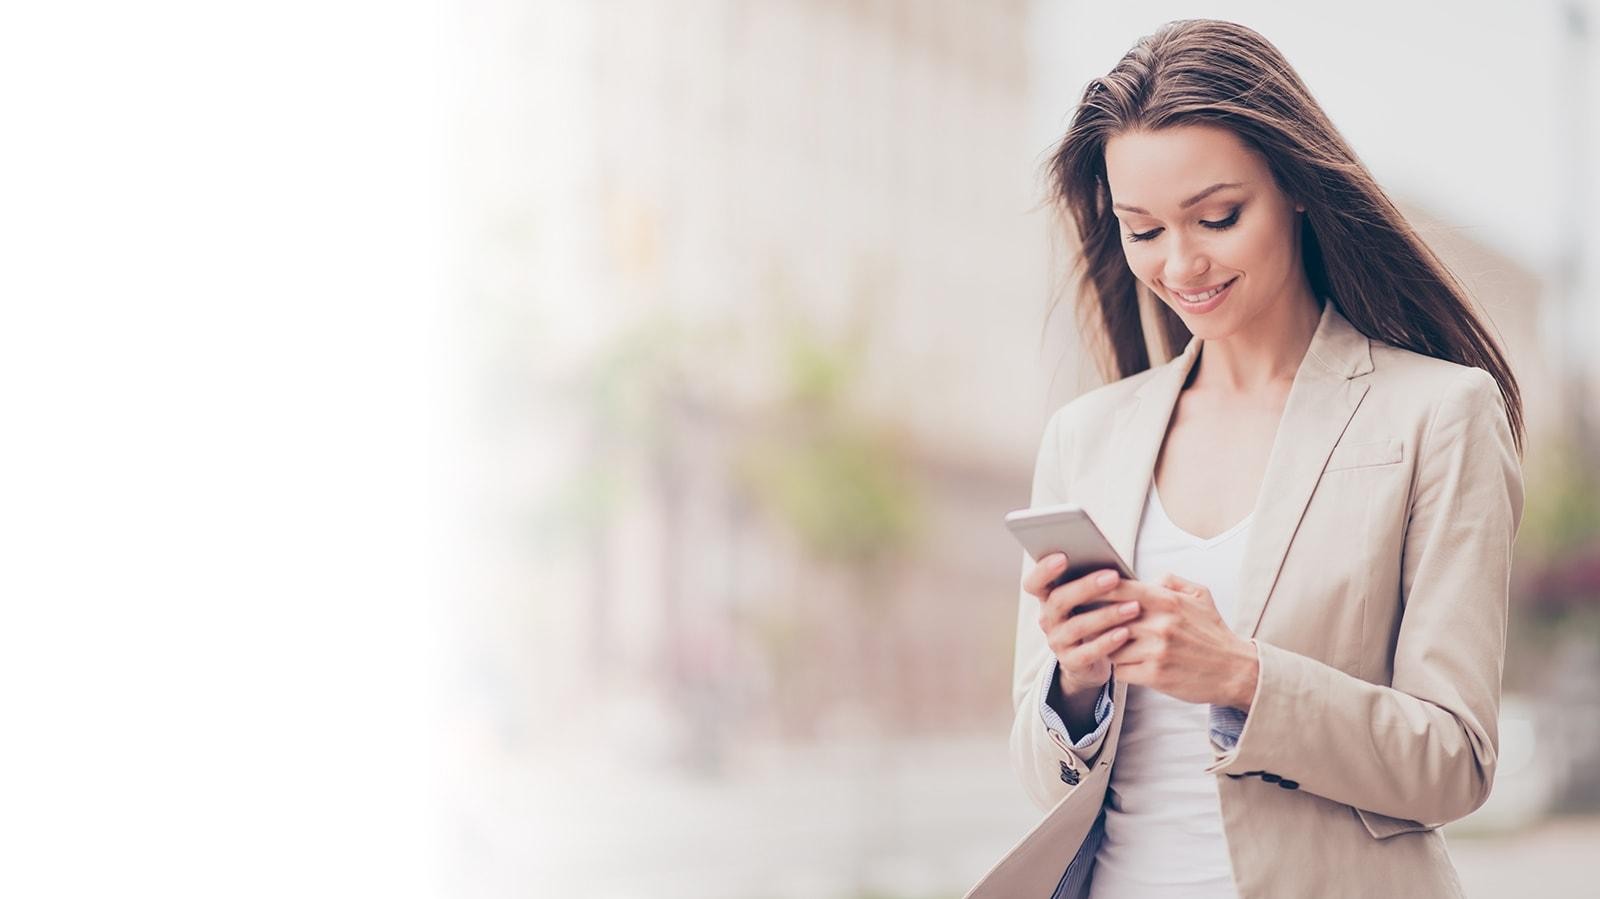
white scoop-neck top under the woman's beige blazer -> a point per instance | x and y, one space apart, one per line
1164 826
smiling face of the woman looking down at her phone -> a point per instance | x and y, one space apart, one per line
1201 210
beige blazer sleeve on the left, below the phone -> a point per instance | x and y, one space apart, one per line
1044 757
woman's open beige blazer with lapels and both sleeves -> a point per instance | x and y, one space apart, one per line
1375 588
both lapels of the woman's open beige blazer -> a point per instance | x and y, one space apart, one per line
1322 399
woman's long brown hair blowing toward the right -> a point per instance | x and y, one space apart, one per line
1358 249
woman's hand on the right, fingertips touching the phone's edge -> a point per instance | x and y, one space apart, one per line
1182 647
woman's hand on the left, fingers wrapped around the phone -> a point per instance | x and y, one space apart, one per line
1082 642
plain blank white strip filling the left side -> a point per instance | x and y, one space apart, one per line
222 402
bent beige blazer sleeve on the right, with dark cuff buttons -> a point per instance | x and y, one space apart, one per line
1423 748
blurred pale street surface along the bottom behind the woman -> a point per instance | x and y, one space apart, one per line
894 820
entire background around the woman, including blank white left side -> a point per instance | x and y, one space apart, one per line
559 447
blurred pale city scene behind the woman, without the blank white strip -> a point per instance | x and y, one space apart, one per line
758 297
